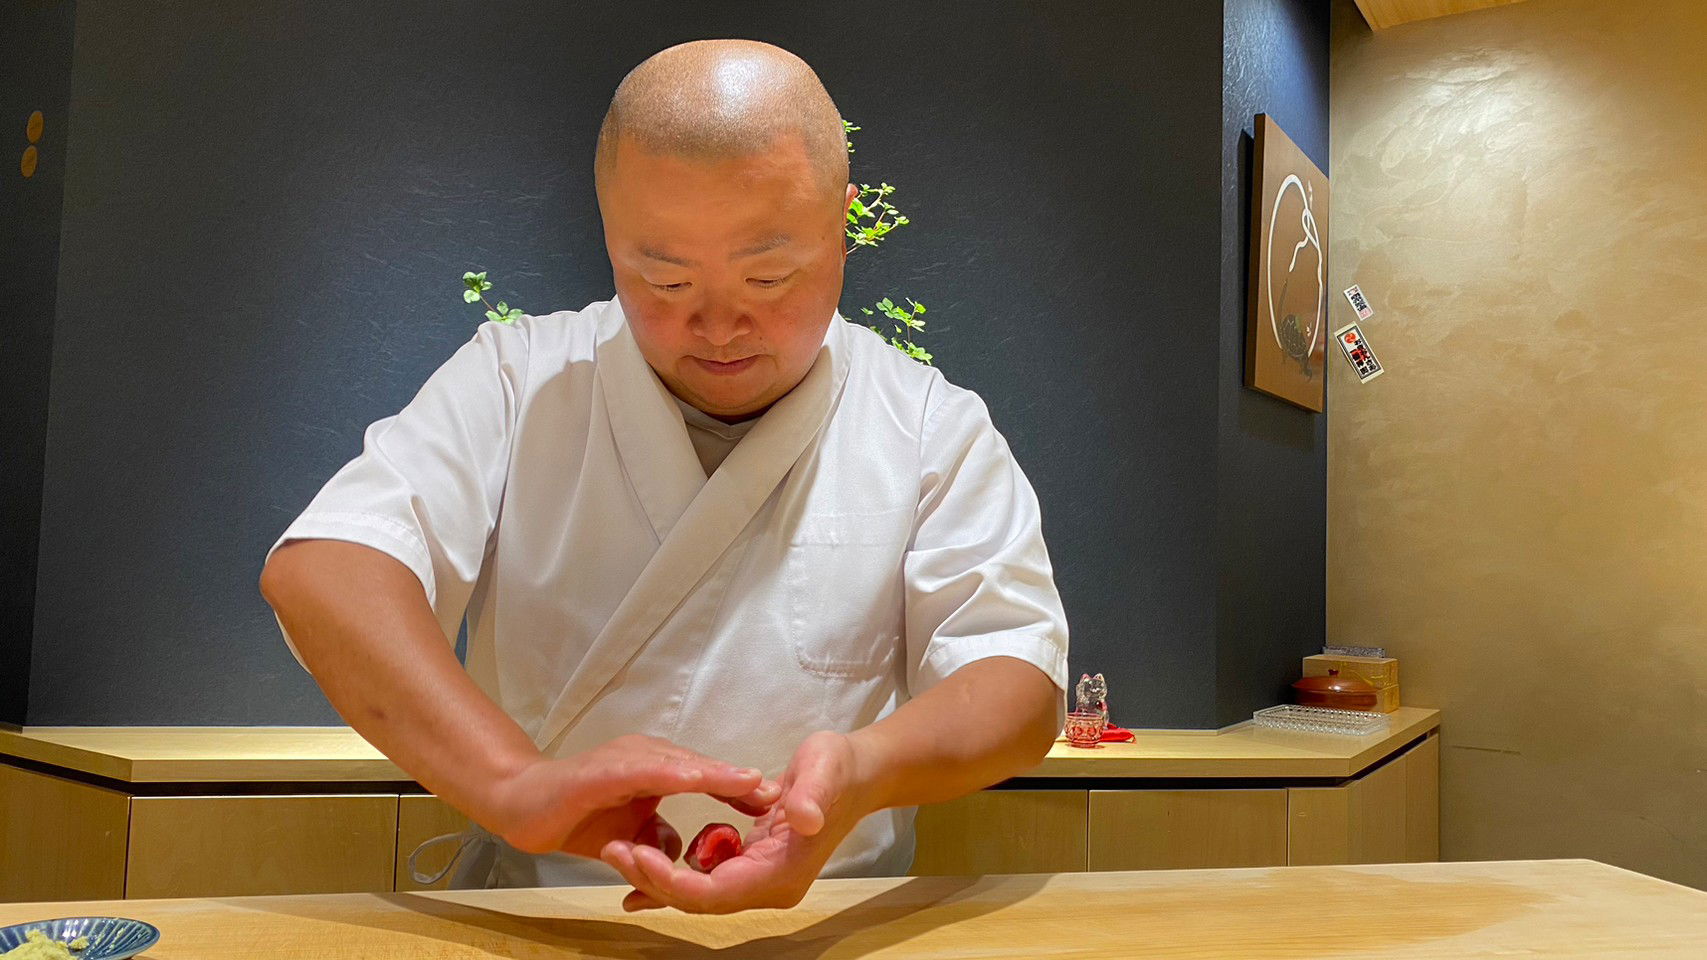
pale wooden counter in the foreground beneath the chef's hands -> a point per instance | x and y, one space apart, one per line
1460 911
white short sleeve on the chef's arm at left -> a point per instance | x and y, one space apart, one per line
429 481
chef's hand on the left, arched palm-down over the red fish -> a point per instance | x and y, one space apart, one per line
583 804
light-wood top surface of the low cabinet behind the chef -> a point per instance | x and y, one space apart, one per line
332 754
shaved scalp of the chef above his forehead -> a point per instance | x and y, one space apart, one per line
720 100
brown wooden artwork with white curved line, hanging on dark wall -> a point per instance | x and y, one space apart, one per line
1286 344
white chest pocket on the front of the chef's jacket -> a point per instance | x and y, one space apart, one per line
846 592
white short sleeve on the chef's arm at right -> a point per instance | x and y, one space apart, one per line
979 578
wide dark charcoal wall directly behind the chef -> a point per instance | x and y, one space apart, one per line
267 213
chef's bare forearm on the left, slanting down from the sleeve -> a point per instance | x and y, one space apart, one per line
368 635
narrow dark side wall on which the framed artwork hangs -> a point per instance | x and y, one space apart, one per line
1273 459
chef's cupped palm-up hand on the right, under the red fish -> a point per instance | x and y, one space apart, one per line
824 795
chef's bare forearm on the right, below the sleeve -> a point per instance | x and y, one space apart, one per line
987 722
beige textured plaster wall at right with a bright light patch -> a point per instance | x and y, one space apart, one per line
1518 508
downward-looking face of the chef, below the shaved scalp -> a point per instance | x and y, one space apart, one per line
728 271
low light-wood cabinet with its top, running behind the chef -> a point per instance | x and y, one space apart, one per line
218 812
